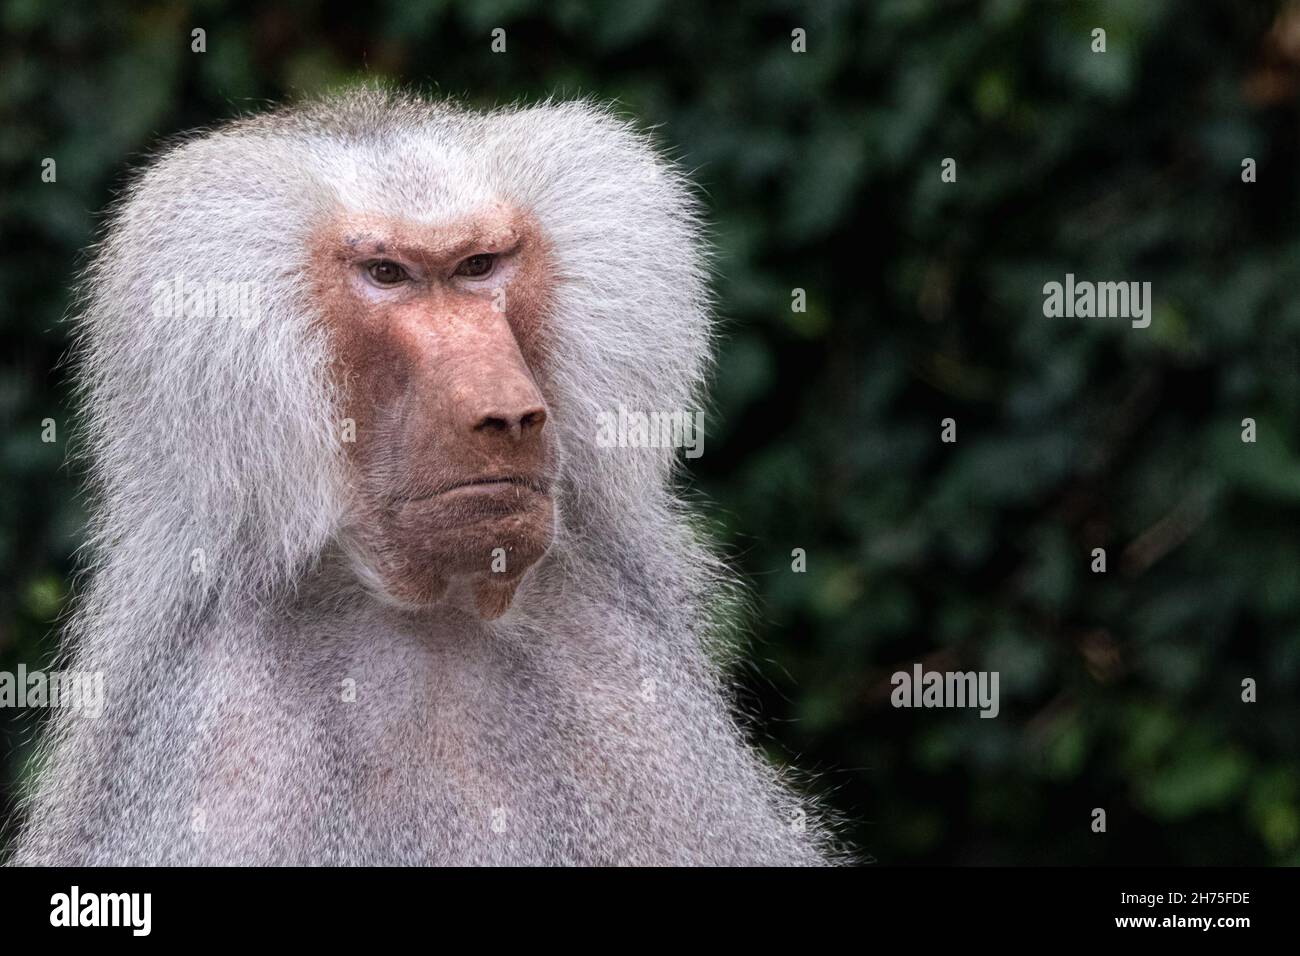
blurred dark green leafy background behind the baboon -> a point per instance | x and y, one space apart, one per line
822 171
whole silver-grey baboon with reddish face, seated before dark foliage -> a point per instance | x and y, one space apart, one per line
362 583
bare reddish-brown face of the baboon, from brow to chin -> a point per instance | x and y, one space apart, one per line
437 335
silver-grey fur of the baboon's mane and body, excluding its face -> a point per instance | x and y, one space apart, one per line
590 725
